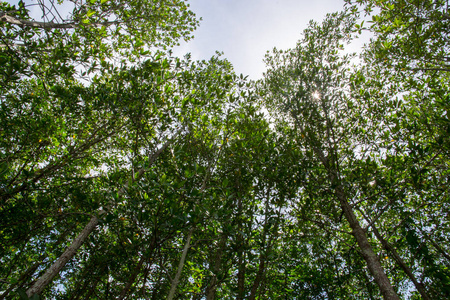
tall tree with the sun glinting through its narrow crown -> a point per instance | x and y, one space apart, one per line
308 85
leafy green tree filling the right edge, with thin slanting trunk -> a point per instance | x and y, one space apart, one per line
404 81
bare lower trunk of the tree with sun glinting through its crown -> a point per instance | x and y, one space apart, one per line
367 252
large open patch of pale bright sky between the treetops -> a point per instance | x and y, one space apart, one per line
246 29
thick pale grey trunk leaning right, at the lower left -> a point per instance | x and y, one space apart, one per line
53 271
